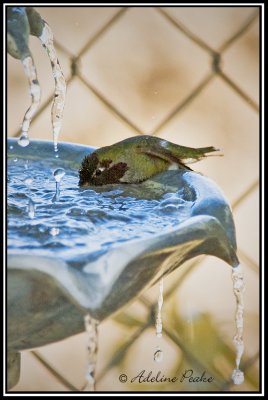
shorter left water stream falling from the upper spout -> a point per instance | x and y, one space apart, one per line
35 91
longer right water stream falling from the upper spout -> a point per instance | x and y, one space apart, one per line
46 39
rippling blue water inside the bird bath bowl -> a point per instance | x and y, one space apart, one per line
48 216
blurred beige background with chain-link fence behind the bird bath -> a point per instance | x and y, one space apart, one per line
189 75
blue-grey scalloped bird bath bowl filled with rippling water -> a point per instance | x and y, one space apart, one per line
93 250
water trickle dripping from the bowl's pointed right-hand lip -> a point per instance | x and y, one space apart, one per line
238 287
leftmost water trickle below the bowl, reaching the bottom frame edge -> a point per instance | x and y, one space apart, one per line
91 326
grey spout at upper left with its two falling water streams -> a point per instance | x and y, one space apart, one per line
22 22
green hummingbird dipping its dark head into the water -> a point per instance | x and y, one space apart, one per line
136 159
